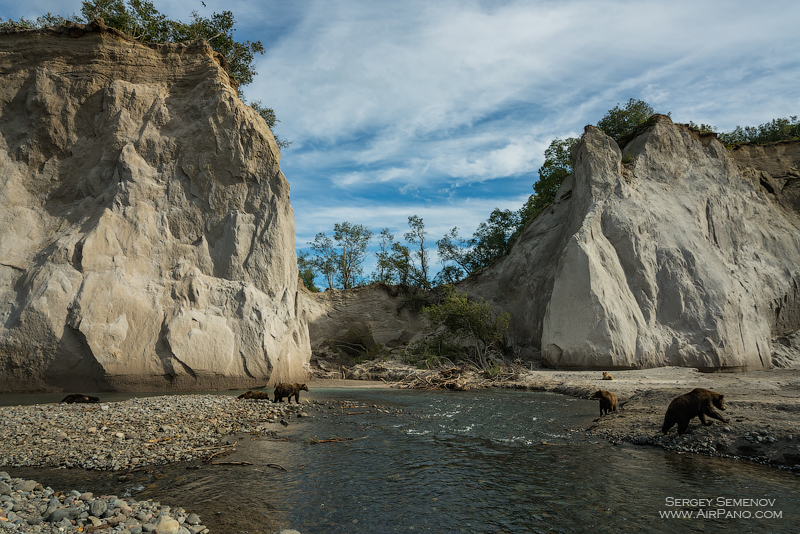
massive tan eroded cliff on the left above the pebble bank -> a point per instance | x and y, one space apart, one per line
146 235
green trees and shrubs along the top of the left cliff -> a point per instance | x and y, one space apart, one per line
142 21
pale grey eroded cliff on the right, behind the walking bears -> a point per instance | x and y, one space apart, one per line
688 254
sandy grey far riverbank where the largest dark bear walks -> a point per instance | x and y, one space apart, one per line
763 407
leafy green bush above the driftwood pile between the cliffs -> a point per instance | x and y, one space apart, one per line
457 318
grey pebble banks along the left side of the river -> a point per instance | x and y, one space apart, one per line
118 436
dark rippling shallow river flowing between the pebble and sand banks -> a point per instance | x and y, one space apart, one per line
473 462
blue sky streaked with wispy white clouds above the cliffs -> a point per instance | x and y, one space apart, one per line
444 109
